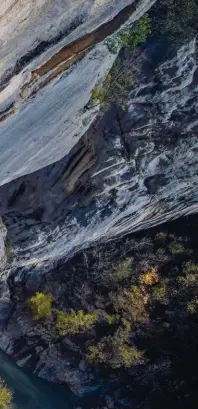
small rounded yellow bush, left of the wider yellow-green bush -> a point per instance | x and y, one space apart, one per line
41 305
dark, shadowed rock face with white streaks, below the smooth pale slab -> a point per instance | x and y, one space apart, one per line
129 171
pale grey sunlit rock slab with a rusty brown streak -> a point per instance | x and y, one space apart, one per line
42 91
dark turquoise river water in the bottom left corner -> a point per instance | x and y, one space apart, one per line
31 392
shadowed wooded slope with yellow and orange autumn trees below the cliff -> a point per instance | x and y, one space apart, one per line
141 323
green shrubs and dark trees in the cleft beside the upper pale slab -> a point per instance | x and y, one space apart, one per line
175 20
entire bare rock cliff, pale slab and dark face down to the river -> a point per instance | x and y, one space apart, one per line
129 171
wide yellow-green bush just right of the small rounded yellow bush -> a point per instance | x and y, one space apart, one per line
75 321
